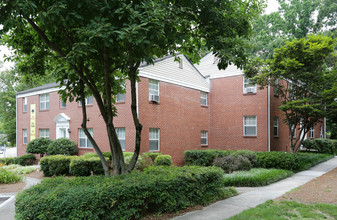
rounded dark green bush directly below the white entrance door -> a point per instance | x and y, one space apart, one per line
62 146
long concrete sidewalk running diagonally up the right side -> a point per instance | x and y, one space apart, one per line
253 196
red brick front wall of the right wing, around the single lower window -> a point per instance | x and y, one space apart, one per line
228 107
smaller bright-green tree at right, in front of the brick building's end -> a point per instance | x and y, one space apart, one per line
299 72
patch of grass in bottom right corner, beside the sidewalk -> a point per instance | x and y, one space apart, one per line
272 210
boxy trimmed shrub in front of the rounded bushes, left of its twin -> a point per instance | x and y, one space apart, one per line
55 165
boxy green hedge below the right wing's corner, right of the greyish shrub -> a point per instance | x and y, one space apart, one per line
277 160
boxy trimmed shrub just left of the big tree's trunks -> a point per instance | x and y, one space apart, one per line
81 166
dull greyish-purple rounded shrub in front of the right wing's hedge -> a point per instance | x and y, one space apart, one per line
232 163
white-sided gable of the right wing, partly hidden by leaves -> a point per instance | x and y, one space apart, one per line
207 67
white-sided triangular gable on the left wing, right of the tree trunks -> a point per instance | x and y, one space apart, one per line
167 70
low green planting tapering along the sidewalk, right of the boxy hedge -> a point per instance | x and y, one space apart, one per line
307 160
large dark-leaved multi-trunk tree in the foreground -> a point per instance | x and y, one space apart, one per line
99 44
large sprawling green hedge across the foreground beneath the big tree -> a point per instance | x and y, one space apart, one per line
131 196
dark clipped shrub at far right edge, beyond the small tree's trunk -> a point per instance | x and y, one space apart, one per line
328 146
